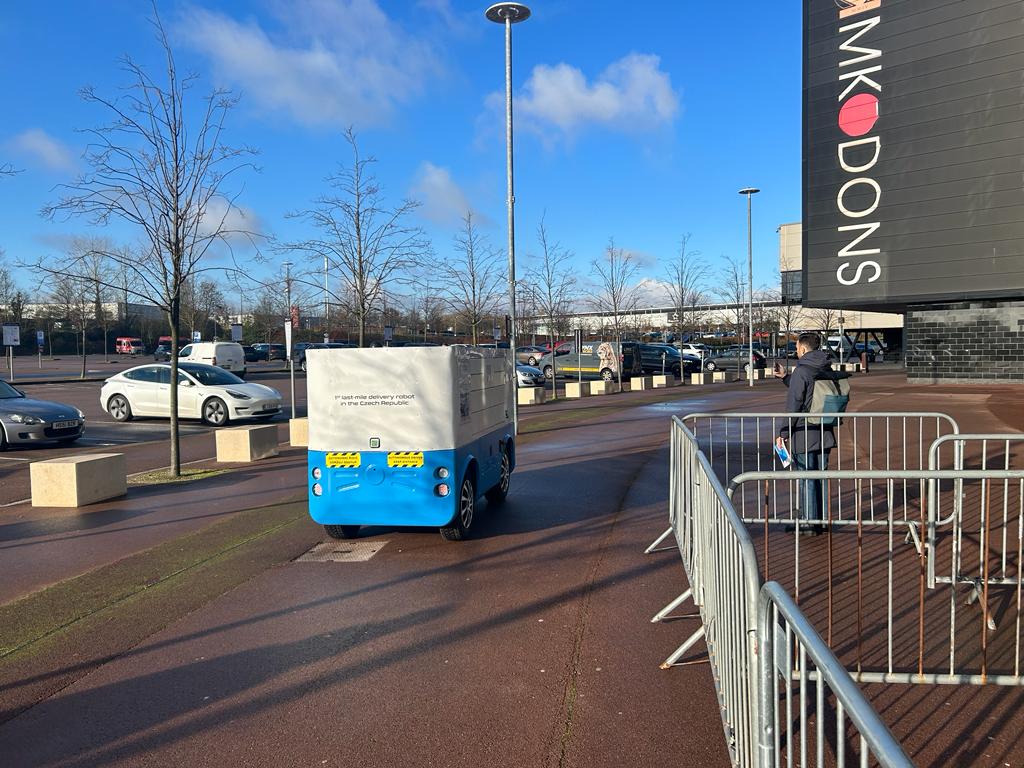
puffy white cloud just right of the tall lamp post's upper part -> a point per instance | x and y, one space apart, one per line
632 95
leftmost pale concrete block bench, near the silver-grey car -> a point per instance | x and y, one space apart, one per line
78 481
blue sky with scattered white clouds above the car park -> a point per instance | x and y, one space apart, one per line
637 121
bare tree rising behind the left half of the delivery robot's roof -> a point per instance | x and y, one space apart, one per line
372 246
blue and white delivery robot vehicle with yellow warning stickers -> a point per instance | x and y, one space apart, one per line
408 437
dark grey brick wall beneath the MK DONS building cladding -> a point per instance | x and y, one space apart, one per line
966 343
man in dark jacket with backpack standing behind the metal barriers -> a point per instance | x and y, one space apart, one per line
809 444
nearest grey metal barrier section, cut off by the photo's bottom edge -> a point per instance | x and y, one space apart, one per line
797 665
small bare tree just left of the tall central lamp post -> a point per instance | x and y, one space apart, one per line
473 278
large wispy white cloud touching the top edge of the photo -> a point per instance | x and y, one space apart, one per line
332 63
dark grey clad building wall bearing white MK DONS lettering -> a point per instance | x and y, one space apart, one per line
914 152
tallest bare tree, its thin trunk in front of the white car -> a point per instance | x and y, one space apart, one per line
162 167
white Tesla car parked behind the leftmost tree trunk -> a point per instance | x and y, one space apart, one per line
205 393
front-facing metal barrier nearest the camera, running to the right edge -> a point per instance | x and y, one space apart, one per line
869 594
